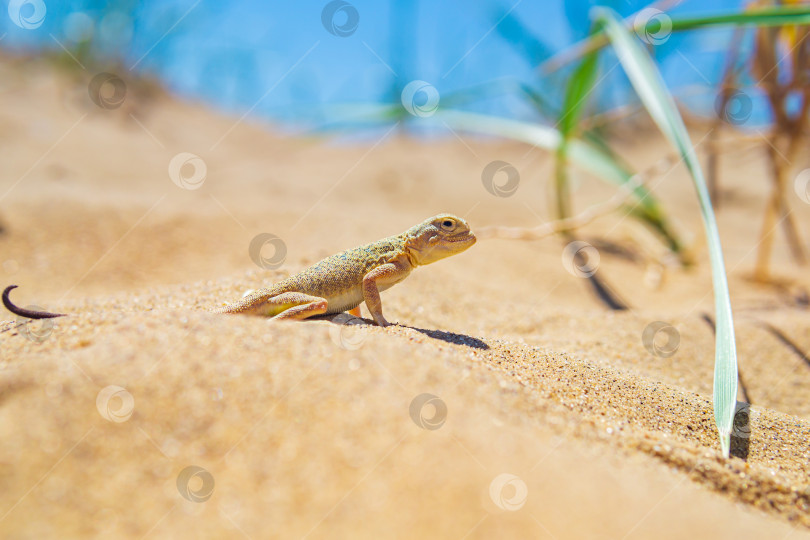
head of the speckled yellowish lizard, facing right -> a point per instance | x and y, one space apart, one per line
438 237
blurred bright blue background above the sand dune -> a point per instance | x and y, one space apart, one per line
282 60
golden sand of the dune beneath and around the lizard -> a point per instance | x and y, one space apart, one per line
306 429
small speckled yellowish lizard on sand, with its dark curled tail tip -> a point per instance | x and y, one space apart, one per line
342 281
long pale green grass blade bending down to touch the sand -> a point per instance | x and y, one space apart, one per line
649 85
